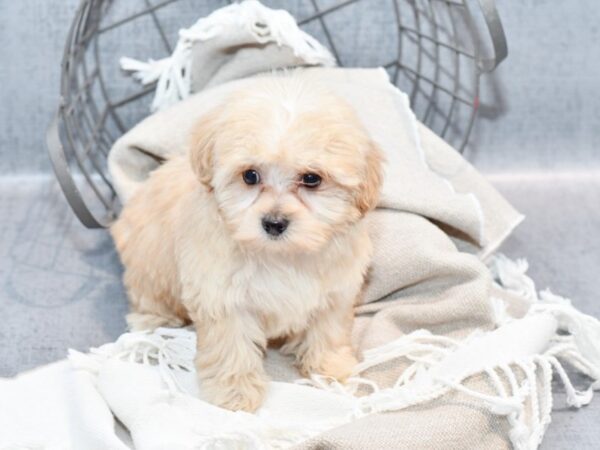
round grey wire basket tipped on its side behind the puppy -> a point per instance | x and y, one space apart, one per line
433 50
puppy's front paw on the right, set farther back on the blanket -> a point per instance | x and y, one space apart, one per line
337 363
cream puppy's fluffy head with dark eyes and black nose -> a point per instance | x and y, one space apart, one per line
289 166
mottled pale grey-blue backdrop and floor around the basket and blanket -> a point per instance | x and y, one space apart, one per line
537 138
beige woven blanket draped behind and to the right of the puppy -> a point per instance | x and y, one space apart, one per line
437 220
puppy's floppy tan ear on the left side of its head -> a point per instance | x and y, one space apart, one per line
202 147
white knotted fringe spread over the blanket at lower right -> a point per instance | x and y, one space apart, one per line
579 349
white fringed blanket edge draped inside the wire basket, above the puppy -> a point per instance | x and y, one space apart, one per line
265 25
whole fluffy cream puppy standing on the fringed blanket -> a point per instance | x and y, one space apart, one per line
256 234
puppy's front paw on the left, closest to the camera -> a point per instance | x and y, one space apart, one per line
242 392
